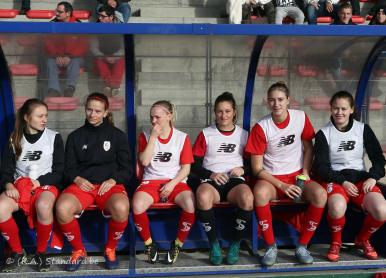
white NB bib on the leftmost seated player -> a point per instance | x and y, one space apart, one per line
36 159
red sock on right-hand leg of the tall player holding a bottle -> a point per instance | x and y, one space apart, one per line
310 223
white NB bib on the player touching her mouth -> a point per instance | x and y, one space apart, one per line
165 163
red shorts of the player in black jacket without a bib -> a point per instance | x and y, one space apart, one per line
87 198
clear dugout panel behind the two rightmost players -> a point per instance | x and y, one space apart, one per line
313 68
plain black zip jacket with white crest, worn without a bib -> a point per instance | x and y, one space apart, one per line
98 154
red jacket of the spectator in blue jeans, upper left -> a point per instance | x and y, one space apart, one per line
66 45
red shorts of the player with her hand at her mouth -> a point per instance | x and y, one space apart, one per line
152 187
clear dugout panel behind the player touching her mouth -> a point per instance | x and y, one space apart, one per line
172 68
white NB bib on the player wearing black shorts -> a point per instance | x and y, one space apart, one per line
223 153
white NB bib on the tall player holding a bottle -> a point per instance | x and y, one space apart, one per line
284 152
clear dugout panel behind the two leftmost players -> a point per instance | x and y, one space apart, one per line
63 70
